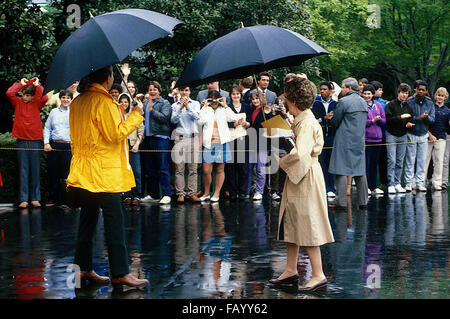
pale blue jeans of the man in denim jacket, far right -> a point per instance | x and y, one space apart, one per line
416 152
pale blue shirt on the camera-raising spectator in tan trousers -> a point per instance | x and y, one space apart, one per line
186 119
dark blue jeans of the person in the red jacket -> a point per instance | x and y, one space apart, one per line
29 170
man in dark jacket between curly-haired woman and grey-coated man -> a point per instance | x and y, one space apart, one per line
323 110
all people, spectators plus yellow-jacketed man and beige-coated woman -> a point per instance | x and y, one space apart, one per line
130 147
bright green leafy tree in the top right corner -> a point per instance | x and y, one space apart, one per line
413 41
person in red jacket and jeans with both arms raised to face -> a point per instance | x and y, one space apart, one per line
27 128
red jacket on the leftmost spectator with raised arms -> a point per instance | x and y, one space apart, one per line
27 116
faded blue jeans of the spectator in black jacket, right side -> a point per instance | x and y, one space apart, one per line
395 157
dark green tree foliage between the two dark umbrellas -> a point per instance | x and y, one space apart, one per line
207 20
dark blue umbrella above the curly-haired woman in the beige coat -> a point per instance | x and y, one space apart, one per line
248 51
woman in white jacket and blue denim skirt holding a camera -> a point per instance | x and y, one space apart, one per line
214 116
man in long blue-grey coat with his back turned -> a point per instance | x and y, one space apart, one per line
348 155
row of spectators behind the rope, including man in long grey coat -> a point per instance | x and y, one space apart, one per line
184 142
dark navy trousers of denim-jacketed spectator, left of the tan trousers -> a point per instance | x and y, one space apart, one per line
157 166
